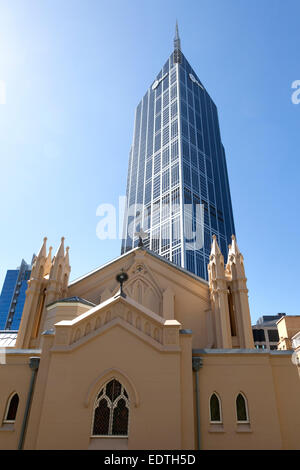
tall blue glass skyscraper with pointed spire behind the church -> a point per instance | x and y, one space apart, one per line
176 164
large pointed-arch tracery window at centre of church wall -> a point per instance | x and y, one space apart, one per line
111 411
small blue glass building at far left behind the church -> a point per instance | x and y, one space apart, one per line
12 297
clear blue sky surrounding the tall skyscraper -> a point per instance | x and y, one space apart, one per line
74 72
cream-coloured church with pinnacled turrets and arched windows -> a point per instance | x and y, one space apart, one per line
166 363
